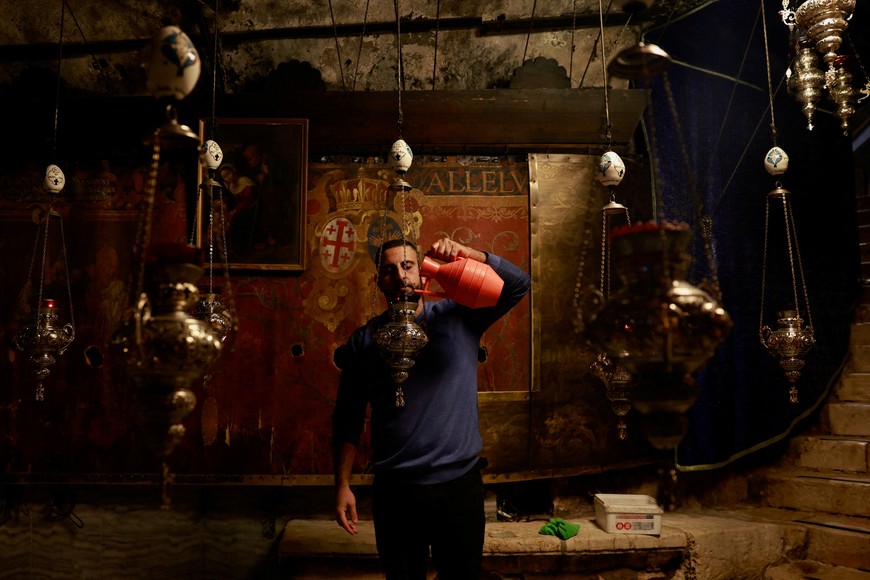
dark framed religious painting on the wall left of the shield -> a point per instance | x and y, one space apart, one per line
255 215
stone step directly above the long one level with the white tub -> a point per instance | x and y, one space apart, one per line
829 453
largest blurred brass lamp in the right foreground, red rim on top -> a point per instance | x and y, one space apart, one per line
659 327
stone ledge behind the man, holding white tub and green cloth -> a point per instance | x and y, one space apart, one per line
713 543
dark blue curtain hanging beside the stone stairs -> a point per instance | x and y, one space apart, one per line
721 130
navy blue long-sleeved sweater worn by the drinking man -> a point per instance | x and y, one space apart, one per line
435 437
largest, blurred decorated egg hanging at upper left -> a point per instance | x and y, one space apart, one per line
172 65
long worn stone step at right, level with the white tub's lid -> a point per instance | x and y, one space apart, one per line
815 491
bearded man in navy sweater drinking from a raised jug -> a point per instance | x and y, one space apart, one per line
428 490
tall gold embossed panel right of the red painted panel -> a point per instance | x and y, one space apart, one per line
572 423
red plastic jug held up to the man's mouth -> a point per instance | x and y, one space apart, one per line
468 282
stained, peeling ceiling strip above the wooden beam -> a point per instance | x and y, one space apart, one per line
344 45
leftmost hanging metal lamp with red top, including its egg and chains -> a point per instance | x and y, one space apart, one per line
45 339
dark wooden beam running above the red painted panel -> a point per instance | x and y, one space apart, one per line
491 120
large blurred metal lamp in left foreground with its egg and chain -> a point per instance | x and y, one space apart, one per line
162 347
